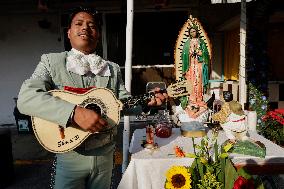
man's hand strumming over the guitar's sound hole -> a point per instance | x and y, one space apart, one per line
89 120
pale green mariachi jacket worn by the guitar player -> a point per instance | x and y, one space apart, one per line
51 73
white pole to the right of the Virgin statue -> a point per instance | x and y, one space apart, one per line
242 67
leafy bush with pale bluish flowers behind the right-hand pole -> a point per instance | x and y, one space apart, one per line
259 103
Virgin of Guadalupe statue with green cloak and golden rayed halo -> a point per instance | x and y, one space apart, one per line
192 58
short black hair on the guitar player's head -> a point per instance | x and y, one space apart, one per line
91 11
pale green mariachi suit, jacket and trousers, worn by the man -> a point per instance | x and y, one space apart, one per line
89 165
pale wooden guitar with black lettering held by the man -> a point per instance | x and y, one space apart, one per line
58 139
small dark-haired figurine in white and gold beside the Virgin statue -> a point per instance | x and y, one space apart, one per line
232 119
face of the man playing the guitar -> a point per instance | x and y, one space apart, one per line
83 33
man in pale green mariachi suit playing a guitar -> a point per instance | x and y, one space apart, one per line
89 165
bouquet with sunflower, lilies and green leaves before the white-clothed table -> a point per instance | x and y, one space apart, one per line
211 164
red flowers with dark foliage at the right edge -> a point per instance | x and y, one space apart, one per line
274 126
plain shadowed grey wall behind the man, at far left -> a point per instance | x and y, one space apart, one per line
22 42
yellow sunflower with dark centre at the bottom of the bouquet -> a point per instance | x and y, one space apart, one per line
178 177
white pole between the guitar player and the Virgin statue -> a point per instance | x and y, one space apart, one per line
128 78
